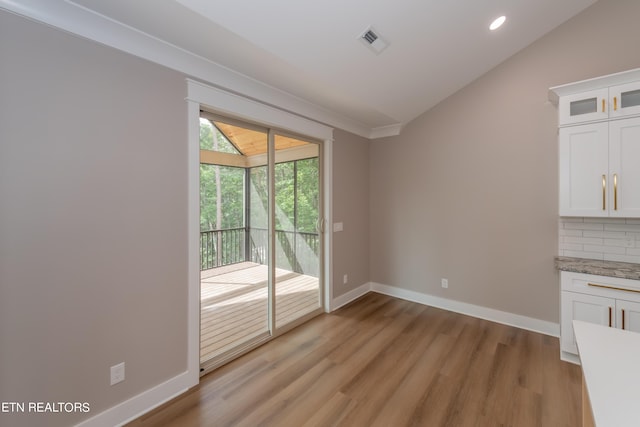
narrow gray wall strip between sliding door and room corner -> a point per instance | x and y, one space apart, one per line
351 207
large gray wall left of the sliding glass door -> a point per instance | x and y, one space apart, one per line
93 221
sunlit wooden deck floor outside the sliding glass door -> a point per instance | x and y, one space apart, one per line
233 304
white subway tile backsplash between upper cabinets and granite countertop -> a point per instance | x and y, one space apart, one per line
612 239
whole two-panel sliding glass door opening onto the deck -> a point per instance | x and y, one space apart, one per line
260 202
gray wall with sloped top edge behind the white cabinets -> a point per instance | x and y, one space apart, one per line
469 190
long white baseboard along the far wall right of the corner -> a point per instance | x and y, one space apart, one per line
511 319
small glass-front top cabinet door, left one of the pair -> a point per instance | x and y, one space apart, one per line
583 107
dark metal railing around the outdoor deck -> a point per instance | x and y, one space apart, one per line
294 251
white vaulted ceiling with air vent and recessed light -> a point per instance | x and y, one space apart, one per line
310 52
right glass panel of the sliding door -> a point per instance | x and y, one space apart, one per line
297 238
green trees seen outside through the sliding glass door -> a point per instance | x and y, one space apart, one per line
222 199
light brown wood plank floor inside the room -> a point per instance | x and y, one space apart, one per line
381 361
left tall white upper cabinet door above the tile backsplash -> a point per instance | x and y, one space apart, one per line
584 165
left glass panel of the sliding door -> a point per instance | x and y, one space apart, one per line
233 238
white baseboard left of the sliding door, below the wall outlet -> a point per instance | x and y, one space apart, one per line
144 402
